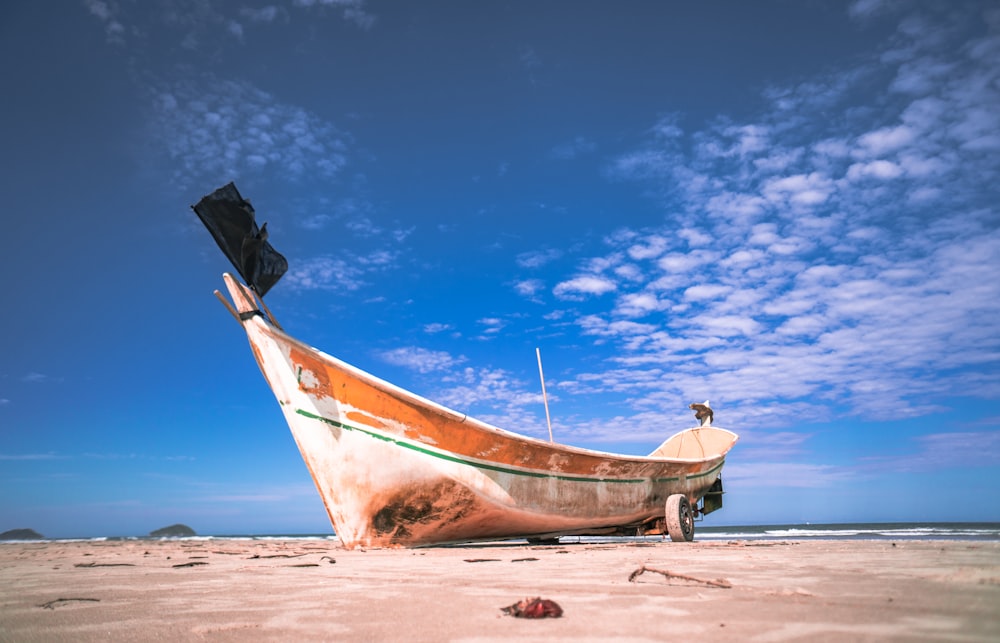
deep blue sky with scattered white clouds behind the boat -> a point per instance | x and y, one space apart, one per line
787 208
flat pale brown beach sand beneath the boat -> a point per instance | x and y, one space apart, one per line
312 590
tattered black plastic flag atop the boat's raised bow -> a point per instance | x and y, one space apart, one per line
231 221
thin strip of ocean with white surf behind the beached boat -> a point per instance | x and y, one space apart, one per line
838 531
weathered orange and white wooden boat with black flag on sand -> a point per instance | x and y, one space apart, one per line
397 470
